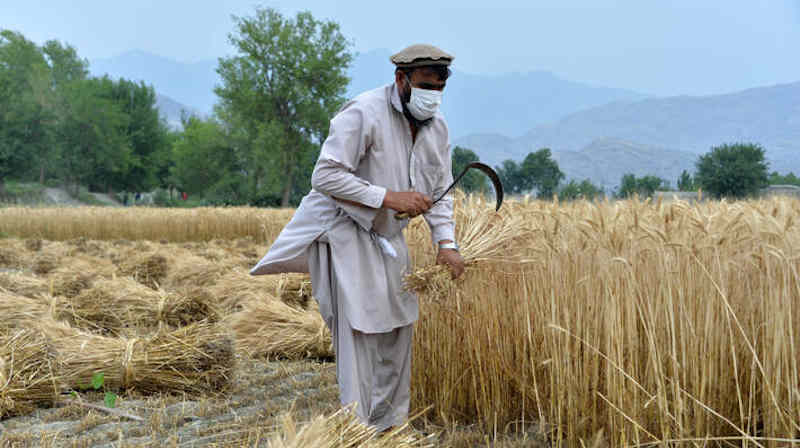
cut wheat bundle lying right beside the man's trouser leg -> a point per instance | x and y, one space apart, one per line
269 327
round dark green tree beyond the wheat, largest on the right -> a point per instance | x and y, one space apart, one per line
735 170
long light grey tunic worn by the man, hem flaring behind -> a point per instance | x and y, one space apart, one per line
369 150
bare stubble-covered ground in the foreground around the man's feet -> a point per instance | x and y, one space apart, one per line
247 415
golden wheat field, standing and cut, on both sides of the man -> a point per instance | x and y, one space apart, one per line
628 323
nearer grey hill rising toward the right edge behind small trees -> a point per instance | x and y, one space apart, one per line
659 135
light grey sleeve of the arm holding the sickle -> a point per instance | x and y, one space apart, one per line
334 174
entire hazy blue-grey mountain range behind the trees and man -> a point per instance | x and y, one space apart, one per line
594 132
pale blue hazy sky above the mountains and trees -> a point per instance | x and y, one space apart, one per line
653 46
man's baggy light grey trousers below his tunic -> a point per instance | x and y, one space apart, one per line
373 369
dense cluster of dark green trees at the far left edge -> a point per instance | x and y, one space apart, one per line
58 123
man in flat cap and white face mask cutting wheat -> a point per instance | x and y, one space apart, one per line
387 153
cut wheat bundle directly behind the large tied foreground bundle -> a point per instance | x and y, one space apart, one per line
125 306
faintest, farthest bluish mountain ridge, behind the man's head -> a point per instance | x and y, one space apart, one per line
508 104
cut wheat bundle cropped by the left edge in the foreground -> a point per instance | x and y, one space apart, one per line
27 367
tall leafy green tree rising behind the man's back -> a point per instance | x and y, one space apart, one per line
281 89
